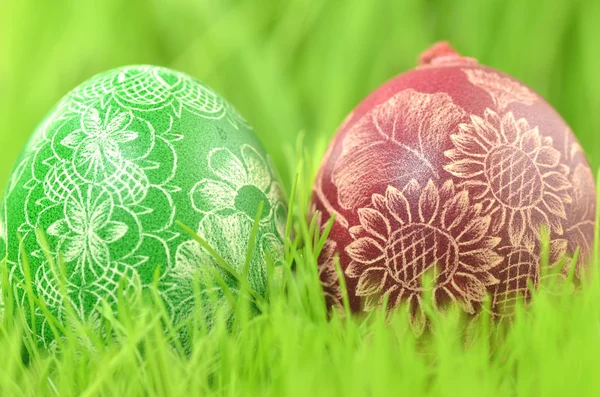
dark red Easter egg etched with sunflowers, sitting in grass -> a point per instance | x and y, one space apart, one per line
451 169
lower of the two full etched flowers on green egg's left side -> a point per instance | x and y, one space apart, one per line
87 229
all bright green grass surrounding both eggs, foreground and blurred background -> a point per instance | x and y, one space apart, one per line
295 68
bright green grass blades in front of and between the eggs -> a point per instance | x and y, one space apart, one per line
294 347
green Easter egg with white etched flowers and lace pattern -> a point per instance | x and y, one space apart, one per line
108 173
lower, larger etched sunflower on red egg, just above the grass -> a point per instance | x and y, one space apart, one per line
409 232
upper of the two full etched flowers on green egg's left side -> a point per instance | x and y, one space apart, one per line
96 144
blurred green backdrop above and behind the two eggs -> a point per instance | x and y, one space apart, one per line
292 66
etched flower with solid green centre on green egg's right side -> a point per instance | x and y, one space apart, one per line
243 184
